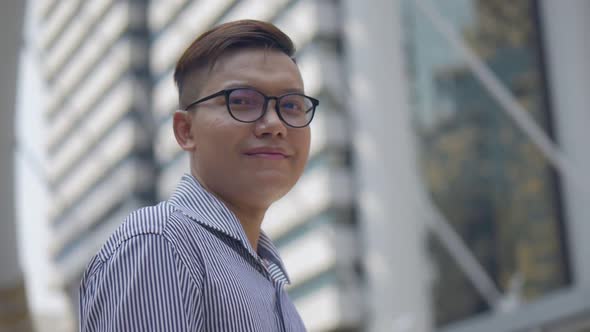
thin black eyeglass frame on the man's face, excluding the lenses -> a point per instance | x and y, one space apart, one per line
227 92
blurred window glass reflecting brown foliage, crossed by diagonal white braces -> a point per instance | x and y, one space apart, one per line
485 175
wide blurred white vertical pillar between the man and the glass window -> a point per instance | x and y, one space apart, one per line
388 189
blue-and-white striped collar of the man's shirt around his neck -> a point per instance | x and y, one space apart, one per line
206 209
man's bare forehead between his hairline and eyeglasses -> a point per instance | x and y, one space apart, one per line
269 70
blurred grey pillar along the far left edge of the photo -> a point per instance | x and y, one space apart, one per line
13 304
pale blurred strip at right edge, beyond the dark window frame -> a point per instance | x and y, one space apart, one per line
566 26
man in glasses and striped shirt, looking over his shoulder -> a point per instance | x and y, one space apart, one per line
199 261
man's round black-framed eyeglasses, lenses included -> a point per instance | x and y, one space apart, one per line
249 105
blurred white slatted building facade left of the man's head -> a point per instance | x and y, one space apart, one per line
99 123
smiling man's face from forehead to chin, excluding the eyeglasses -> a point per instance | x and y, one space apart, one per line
247 164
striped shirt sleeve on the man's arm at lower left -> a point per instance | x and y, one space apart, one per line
143 286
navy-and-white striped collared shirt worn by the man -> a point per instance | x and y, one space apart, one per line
186 265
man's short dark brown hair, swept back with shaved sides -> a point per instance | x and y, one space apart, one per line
243 34
